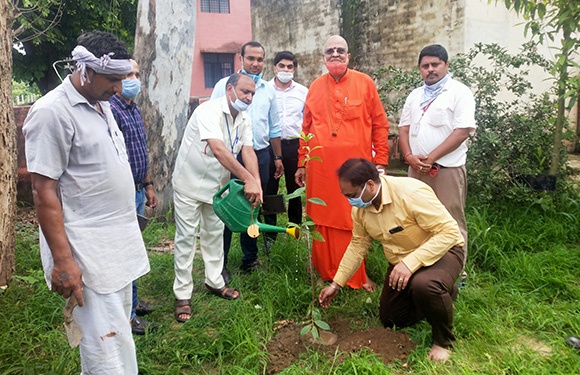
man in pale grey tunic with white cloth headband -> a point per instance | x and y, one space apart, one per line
90 242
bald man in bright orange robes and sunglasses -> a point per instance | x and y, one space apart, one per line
344 113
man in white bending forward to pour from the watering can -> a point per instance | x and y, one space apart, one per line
217 132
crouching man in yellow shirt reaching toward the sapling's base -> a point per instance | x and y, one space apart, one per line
421 241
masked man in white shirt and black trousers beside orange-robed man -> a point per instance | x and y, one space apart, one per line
290 96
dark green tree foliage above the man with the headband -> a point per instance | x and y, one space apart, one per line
46 31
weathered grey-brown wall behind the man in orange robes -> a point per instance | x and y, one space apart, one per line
380 33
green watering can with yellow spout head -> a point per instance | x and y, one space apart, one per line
235 210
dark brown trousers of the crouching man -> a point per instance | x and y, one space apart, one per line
429 294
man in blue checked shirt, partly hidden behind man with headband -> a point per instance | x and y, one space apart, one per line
129 119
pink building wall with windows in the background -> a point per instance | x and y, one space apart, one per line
223 33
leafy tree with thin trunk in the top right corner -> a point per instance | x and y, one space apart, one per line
555 19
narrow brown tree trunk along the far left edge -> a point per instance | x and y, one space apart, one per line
7 149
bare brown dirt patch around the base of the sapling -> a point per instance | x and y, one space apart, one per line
287 345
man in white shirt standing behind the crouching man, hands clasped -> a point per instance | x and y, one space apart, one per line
436 121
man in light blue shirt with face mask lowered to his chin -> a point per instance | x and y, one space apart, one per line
266 129
